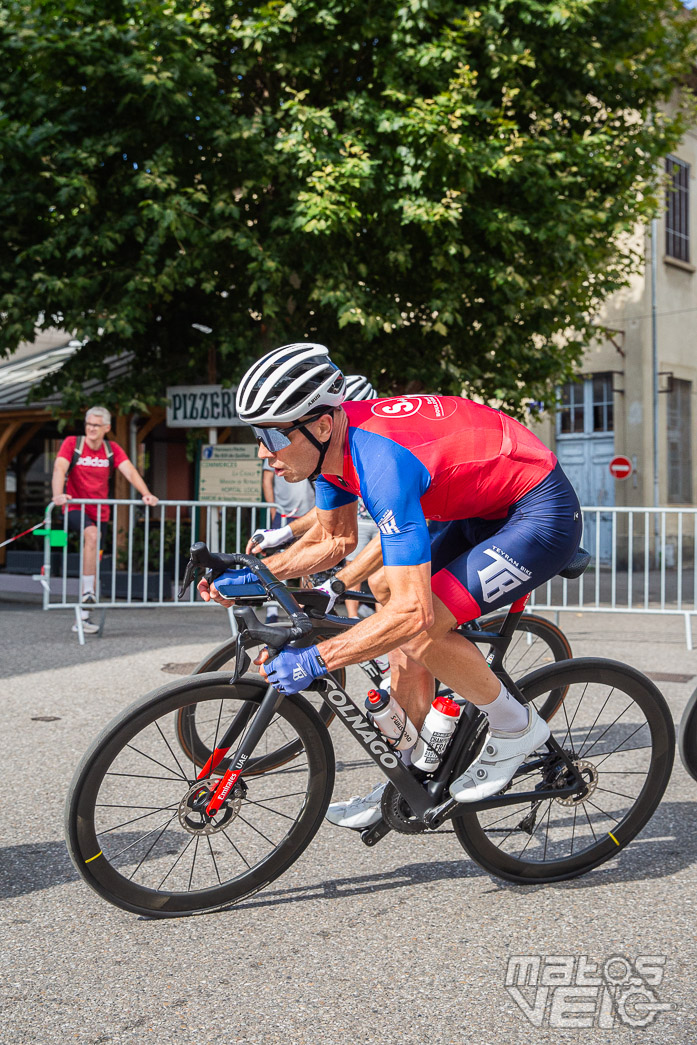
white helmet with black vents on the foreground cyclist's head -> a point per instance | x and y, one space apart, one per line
295 381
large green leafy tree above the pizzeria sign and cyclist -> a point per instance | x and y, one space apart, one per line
440 192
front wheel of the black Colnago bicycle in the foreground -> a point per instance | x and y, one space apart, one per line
131 827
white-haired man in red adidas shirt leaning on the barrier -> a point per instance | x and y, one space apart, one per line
83 470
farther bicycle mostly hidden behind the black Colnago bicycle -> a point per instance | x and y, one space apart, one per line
525 642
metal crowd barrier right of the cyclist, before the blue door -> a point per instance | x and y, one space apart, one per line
643 562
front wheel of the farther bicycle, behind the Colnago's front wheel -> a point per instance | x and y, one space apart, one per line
194 723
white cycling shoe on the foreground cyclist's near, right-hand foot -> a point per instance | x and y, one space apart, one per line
502 755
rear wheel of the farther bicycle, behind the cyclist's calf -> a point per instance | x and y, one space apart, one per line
550 645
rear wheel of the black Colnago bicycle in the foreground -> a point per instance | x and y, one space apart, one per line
617 729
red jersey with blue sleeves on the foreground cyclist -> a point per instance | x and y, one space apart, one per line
414 458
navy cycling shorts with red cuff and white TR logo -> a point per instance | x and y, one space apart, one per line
479 566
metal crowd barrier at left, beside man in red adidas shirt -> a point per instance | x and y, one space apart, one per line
142 559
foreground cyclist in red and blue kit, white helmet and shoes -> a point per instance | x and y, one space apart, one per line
514 522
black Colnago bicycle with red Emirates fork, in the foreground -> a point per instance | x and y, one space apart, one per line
160 835
